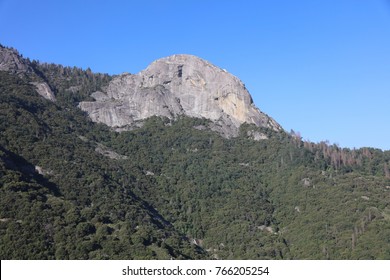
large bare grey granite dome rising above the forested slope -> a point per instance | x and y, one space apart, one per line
174 86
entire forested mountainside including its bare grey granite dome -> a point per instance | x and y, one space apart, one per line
175 162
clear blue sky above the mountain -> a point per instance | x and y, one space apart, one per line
320 67
